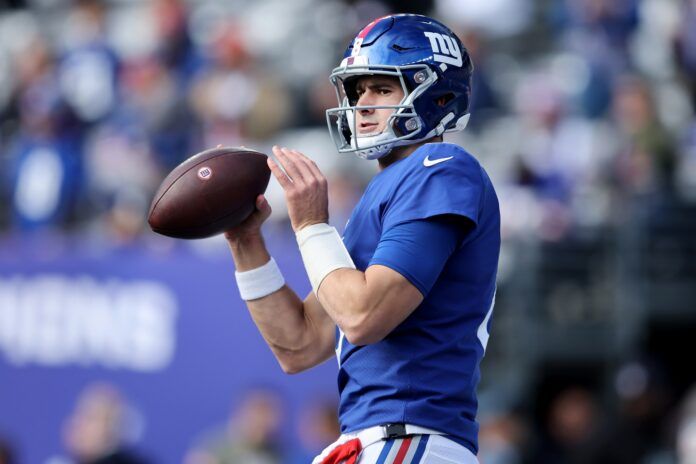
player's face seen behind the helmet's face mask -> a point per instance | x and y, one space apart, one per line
376 91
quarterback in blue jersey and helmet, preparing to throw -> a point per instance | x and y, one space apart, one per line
404 299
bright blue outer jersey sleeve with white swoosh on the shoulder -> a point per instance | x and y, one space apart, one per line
452 186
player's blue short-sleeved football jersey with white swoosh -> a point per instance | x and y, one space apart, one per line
425 372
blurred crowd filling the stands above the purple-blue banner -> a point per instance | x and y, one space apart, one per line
578 105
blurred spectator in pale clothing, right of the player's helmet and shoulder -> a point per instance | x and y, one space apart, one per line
560 157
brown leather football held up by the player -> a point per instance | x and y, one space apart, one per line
209 193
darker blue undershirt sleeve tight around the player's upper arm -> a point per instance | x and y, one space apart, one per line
418 250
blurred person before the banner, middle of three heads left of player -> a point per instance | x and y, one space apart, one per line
250 436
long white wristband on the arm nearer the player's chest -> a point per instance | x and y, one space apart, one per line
322 251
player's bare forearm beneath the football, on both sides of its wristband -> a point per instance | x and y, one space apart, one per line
280 316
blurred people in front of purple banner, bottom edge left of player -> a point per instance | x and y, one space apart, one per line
105 427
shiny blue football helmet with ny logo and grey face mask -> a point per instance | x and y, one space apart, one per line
430 64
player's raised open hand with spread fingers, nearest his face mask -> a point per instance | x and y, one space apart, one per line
306 189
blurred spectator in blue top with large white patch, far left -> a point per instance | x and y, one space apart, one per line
45 155
